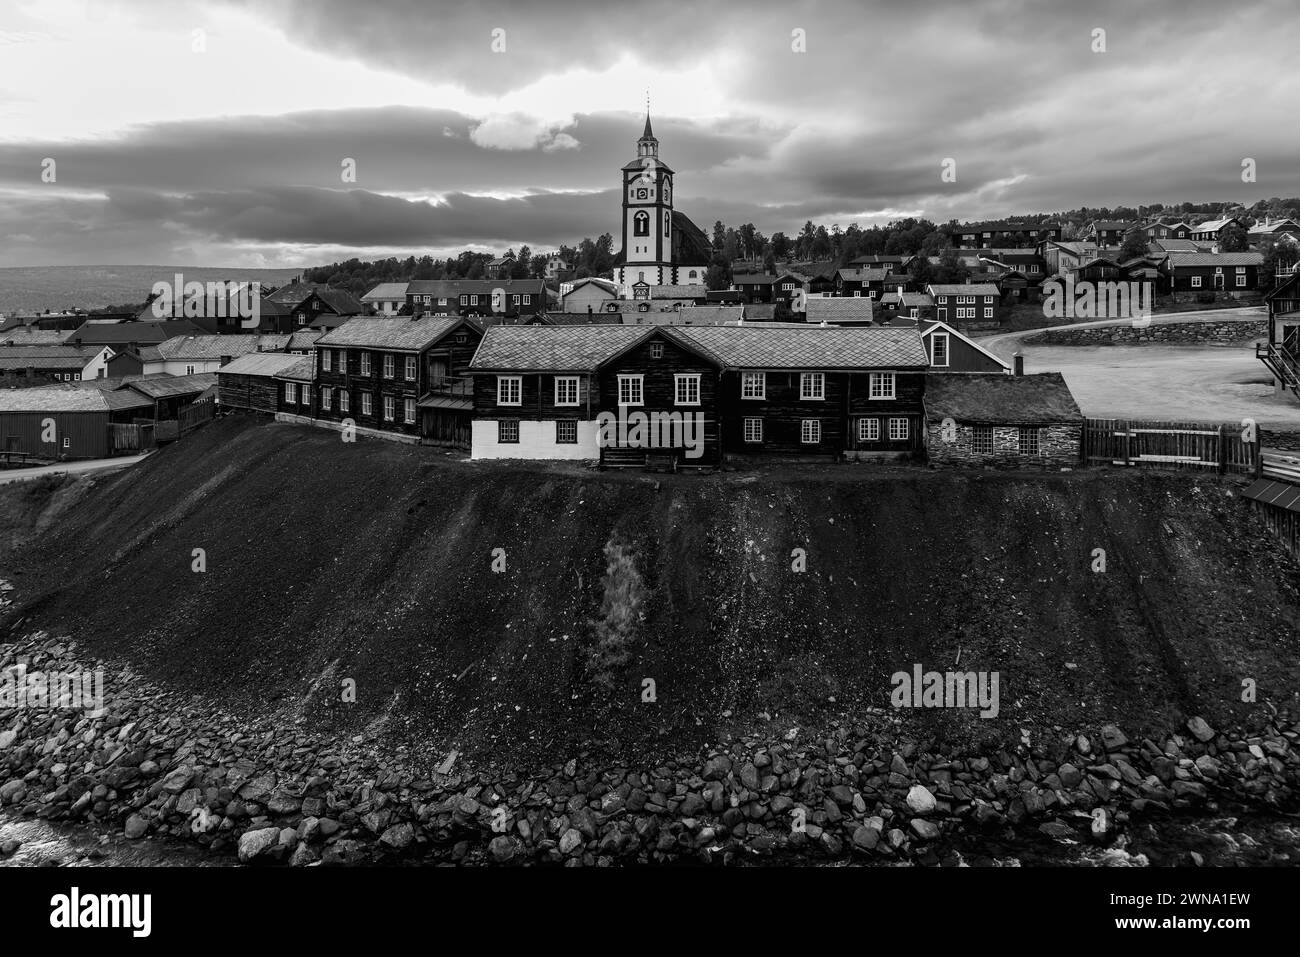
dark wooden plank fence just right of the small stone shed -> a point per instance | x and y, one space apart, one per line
1221 448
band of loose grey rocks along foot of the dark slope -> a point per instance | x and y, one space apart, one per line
154 764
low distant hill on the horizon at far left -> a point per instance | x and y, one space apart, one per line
57 288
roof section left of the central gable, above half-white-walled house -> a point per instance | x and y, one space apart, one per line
551 348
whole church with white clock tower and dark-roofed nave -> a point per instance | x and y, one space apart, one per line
661 246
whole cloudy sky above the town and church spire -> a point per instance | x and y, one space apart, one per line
215 132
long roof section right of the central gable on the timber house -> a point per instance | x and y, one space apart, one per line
808 348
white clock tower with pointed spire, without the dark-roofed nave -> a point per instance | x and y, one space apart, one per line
647 215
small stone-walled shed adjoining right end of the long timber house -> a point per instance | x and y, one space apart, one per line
1003 422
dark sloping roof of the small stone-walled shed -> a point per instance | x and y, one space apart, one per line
1000 400
